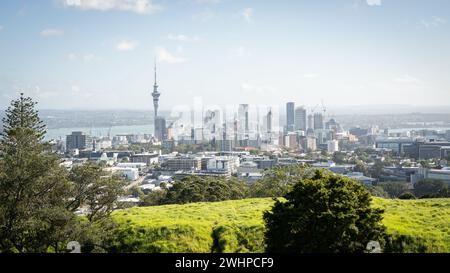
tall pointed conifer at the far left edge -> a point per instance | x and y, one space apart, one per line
33 188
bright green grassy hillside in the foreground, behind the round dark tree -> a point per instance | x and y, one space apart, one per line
237 226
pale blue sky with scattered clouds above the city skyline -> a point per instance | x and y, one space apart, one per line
99 54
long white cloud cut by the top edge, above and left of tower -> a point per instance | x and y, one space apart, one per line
136 6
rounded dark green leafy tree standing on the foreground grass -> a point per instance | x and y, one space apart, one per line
327 213
